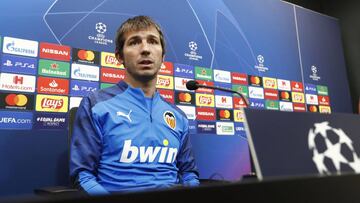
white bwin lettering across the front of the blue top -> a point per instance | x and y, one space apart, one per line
148 154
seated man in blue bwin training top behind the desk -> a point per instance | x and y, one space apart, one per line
126 137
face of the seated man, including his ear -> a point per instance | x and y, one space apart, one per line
142 54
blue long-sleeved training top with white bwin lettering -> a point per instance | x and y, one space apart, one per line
125 141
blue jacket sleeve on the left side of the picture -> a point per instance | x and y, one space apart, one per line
85 150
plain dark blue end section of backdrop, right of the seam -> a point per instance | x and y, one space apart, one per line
321 47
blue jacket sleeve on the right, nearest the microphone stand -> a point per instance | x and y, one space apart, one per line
188 173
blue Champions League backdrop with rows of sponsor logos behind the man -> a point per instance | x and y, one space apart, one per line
280 56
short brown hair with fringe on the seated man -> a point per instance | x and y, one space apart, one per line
135 24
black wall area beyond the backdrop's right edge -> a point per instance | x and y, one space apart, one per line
348 13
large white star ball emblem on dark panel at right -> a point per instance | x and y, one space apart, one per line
332 149
